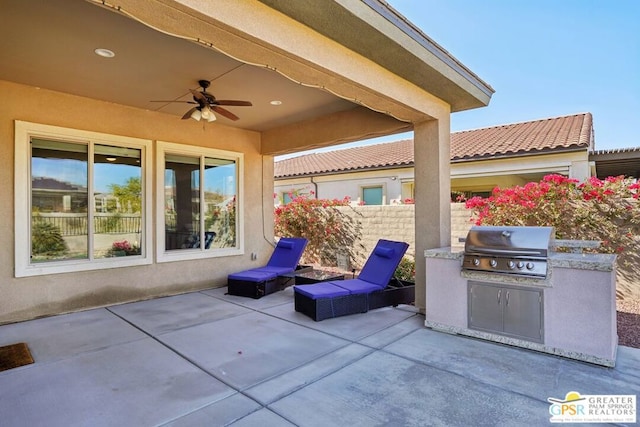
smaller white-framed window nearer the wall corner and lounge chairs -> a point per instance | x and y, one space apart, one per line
198 192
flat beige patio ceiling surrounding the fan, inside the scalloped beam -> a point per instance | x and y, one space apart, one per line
51 43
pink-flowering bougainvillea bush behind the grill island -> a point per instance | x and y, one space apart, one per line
604 210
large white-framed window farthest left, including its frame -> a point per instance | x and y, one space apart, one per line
80 200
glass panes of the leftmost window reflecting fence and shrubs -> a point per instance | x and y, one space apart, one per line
60 224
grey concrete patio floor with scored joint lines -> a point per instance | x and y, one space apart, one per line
210 359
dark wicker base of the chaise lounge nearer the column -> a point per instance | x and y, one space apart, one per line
397 292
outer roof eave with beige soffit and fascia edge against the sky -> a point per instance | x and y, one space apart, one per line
359 26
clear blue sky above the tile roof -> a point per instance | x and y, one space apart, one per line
544 58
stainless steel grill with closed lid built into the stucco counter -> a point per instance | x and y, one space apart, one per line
521 251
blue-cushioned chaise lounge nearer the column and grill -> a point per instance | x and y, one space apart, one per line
372 289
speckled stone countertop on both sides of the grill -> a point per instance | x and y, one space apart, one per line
582 261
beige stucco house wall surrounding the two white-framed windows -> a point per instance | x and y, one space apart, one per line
35 296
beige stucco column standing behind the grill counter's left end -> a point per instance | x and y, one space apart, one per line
431 142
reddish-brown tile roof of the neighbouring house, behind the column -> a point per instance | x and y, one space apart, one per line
510 140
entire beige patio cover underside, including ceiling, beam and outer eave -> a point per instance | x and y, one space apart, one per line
163 47
